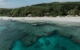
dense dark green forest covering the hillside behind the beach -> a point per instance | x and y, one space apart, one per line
44 9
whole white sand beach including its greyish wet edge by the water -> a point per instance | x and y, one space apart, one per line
58 20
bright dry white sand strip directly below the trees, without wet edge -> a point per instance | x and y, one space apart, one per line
63 19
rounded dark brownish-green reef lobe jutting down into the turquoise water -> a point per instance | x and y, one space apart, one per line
29 40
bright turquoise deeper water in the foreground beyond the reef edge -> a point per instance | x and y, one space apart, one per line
55 42
